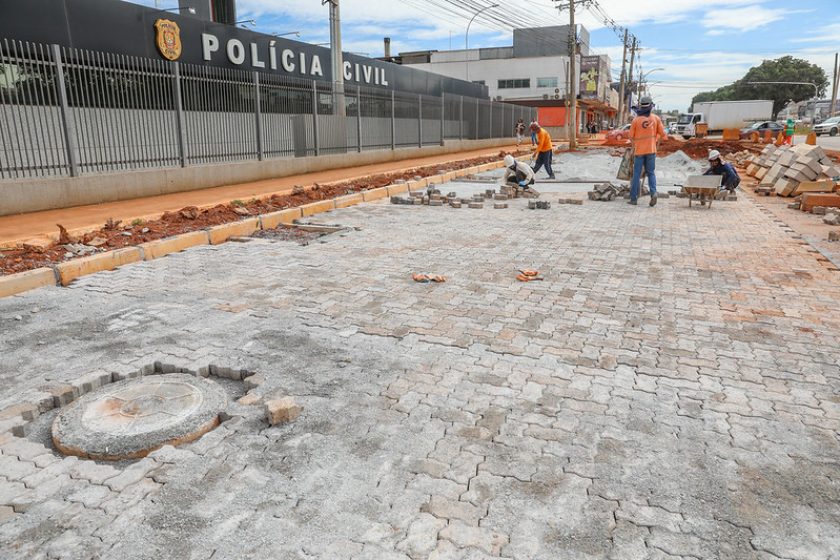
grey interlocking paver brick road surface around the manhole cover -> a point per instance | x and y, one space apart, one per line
671 390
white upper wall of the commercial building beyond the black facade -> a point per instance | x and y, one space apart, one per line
491 71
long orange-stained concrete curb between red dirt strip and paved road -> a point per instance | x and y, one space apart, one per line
64 273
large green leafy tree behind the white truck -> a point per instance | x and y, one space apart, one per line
785 69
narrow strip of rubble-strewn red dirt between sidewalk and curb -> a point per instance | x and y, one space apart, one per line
116 235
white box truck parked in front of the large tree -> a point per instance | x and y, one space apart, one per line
718 115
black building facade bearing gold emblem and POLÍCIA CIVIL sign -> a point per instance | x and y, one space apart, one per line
119 27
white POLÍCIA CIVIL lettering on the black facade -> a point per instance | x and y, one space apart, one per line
288 60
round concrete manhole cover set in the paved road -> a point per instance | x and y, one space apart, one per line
132 418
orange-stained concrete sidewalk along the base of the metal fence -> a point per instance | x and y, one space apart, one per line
41 226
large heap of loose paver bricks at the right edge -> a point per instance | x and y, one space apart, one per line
791 171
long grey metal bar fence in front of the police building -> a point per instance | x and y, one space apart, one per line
71 112
